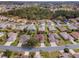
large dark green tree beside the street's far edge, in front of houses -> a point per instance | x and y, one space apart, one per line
30 43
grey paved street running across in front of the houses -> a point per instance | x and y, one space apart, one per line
56 48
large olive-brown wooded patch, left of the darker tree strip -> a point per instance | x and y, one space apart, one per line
32 13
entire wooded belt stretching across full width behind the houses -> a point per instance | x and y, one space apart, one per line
37 13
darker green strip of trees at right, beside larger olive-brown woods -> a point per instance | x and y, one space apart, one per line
66 14
